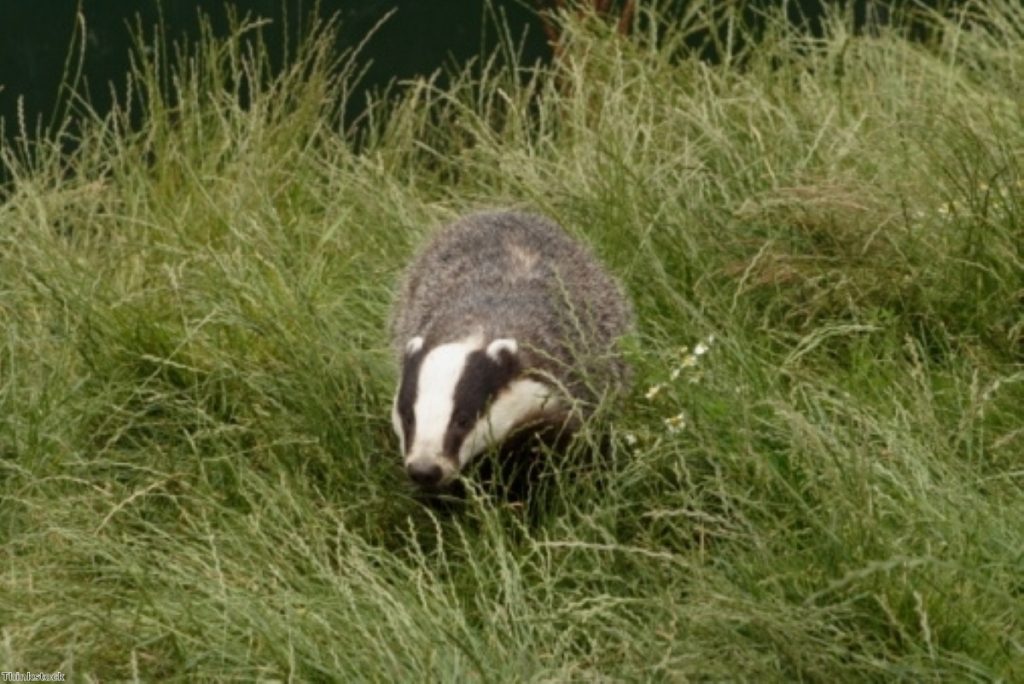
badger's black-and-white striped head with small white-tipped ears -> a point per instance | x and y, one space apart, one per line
458 399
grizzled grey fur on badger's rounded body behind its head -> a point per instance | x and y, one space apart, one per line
515 275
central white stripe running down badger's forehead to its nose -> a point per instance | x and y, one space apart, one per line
440 373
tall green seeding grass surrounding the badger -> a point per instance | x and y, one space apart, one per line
197 471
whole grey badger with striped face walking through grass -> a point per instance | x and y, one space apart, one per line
503 324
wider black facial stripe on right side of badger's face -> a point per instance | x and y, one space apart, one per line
483 378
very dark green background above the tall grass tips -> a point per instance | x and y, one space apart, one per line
421 37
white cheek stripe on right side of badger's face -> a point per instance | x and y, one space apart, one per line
523 400
